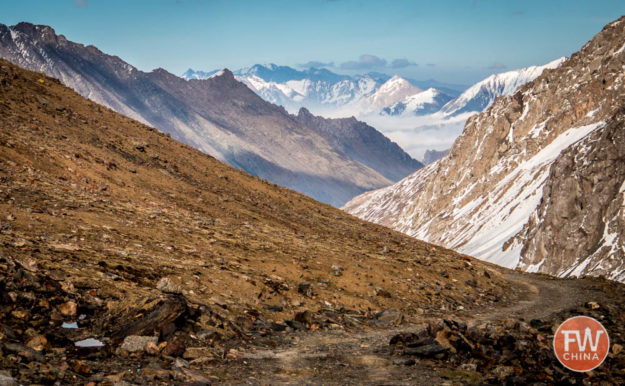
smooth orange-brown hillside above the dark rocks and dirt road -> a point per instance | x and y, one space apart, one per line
110 201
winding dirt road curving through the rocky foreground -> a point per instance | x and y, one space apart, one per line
357 357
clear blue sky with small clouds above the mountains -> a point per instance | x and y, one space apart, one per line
454 41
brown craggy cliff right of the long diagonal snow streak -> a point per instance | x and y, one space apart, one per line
579 226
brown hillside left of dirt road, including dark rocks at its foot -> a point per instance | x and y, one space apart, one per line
118 229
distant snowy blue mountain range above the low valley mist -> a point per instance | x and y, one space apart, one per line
326 93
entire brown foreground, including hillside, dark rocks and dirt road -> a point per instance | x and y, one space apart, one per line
127 257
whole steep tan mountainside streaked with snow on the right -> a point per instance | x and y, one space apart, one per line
534 182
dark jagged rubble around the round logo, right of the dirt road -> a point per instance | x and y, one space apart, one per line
508 351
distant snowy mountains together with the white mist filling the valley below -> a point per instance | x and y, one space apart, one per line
420 115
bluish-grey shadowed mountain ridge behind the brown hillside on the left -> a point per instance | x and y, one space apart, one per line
219 116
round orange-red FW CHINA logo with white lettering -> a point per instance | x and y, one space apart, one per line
581 343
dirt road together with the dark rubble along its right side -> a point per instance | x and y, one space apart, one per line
503 345
